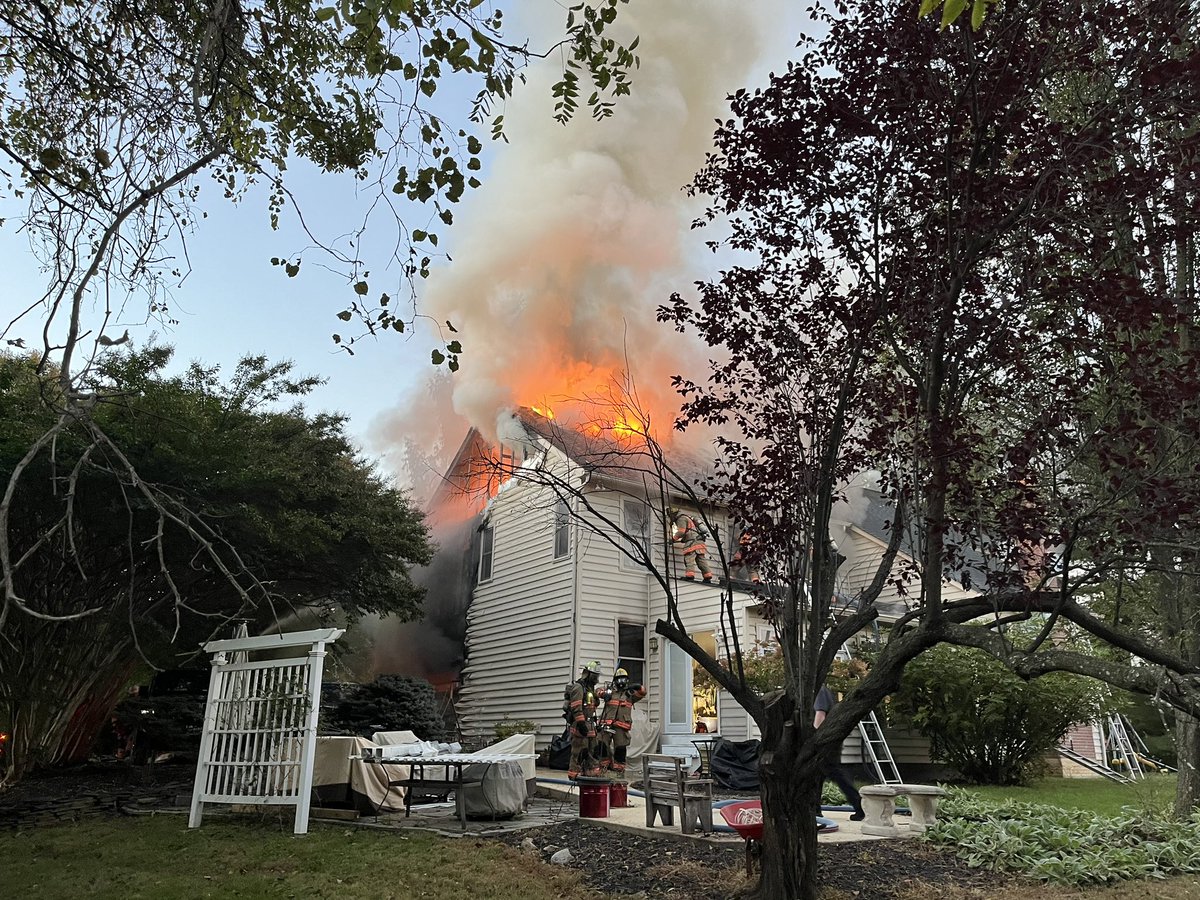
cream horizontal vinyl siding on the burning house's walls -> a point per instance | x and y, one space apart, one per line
527 637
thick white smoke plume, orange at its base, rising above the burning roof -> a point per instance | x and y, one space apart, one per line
563 256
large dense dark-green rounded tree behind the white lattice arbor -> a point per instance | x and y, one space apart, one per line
241 509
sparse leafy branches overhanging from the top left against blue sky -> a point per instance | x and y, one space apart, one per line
116 115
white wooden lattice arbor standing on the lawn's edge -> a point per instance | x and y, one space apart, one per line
261 723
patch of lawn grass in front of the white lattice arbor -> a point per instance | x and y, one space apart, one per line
160 859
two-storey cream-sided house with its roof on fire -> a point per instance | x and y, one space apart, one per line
554 592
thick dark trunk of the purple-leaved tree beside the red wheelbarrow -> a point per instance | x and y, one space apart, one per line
791 802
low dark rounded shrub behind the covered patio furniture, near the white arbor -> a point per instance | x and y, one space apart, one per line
389 704
